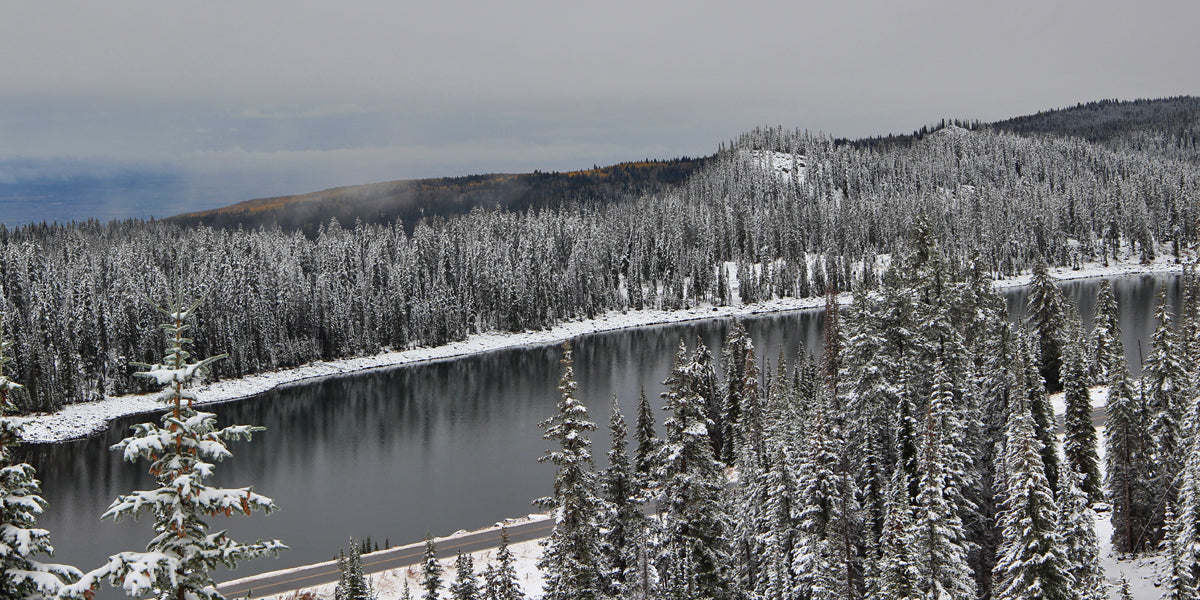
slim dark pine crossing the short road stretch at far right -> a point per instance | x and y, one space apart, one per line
1079 434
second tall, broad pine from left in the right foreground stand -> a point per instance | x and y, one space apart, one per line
694 518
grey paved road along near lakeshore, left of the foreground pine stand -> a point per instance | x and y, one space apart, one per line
327 573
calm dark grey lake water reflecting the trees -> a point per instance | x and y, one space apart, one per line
433 448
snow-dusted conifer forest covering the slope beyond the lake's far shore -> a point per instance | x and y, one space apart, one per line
795 214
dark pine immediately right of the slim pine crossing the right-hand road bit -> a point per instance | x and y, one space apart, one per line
1129 464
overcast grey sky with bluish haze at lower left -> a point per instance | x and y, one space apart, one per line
224 101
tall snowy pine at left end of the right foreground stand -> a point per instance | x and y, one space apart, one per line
572 561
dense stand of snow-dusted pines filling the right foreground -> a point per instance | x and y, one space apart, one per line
919 459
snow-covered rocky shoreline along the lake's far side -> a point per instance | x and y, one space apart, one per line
81 421
